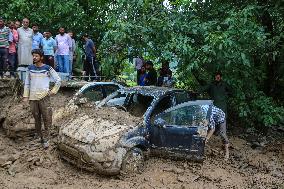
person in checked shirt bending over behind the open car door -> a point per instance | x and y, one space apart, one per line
217 125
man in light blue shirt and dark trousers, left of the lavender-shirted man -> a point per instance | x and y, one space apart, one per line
48 45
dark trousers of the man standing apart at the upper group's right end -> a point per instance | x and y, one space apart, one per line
91 68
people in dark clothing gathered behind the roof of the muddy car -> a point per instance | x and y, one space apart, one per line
147 75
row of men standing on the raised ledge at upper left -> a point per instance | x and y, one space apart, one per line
17 42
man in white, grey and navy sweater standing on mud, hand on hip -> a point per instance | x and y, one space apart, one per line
37 91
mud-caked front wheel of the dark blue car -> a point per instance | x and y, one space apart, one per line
133 161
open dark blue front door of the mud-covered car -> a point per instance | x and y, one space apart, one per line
180 131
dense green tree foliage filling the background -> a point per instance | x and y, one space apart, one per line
242 38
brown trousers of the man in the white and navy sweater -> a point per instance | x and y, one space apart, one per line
42 108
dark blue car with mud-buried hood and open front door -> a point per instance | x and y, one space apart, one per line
166 124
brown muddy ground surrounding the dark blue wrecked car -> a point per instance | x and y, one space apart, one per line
257 161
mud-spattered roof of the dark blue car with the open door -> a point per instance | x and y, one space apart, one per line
150 90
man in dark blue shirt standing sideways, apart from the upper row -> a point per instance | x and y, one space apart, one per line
91 67
